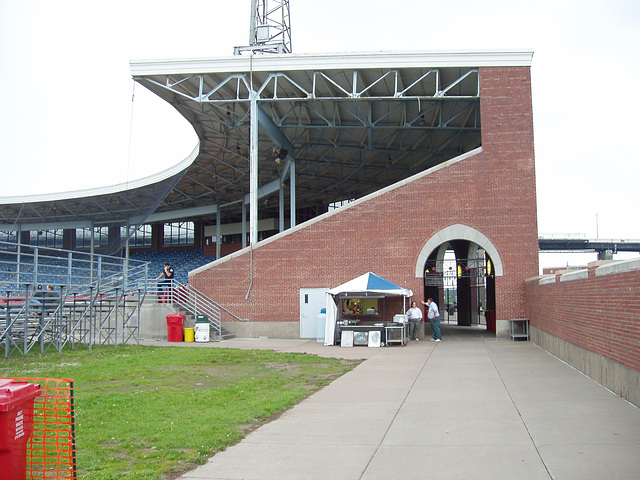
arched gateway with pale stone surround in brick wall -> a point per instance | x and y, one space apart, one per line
459 266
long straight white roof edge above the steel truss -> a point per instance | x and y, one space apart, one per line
318 61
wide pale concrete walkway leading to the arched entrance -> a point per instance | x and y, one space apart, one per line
466 408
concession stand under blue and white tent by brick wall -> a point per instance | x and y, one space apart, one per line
365 311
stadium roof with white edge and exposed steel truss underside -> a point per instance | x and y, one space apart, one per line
331 127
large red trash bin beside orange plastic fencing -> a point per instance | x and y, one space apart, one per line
16 424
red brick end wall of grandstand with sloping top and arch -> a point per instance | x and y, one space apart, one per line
492 192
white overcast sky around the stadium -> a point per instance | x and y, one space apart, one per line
71 118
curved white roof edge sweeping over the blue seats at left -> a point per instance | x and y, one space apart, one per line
110 189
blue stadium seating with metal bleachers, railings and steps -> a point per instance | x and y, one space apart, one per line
52 298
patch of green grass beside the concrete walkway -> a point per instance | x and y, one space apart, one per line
152 412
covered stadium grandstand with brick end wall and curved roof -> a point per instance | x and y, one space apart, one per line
312 169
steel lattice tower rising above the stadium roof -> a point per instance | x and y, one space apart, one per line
270 28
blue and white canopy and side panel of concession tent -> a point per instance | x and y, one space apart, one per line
369 283
